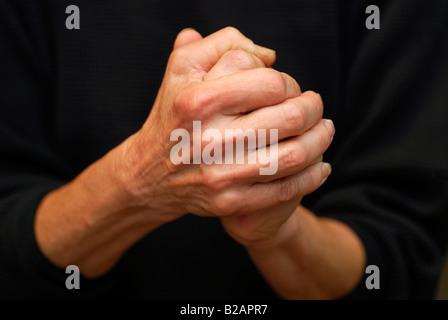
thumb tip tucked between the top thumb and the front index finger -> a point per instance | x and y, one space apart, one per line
232 62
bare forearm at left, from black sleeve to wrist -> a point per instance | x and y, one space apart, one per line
93 220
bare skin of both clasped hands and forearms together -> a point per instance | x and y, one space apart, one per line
225 81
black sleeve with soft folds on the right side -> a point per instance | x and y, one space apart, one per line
390 153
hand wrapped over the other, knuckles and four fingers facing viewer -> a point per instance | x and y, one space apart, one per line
224 81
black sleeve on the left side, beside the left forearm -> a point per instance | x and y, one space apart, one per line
29 165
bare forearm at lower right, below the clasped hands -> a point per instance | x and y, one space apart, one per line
311 258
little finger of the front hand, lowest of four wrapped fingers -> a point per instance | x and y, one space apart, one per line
263 195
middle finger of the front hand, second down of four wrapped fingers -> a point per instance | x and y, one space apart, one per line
292 117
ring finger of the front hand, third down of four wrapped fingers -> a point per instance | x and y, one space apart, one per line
292 156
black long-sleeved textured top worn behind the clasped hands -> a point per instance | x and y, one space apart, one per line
69 96
